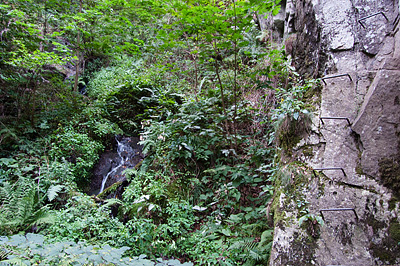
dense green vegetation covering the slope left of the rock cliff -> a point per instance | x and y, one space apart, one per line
212 98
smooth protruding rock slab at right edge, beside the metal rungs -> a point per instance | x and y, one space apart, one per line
378 121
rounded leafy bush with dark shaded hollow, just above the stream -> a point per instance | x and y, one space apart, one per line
128 94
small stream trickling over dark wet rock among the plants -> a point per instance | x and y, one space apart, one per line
126 154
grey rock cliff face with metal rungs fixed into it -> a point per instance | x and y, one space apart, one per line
354 45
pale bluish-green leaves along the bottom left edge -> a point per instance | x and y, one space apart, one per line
32 249
